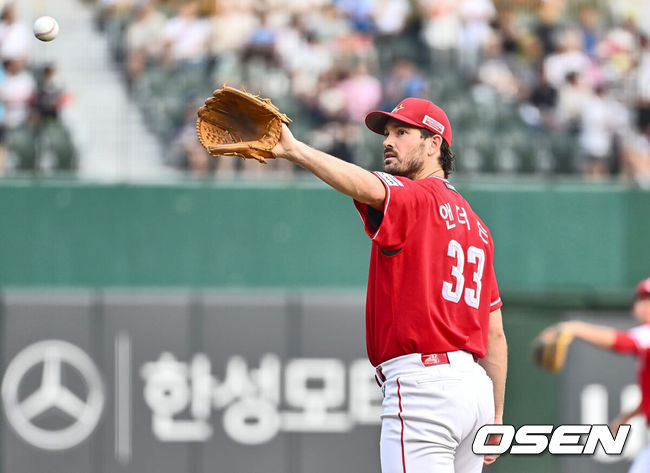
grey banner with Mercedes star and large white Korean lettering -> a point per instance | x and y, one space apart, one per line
168 382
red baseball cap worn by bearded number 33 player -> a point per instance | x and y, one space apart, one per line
416 112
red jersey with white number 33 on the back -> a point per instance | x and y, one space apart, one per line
431 283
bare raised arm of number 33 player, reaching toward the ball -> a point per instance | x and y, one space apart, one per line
345 177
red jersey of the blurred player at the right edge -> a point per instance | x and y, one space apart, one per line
637 342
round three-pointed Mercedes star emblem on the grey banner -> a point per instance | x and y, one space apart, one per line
52 394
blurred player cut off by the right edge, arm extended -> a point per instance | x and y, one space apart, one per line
634 342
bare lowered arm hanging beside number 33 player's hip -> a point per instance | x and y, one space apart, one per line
495 364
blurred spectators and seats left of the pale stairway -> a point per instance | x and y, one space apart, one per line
32 136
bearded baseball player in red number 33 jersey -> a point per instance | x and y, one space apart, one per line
433 320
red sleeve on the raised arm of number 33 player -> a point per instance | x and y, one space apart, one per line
390 227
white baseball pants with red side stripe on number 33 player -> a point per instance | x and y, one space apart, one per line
431 414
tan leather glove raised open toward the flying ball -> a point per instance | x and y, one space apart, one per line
236 123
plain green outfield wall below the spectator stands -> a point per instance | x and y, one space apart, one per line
549 237
